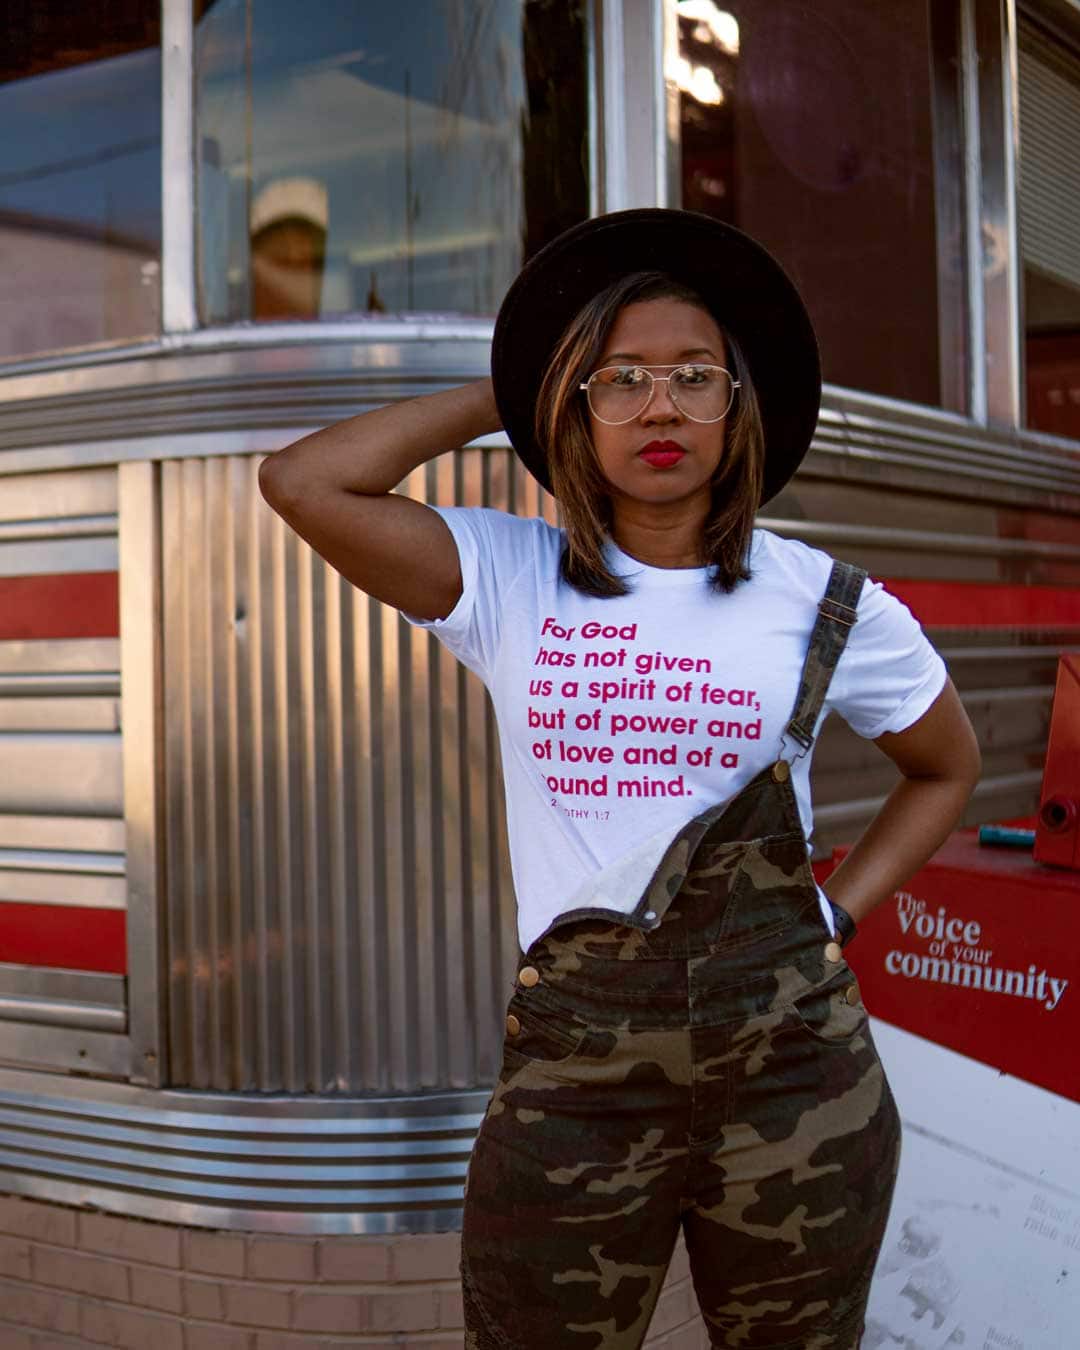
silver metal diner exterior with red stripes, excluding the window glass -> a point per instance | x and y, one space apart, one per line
265 811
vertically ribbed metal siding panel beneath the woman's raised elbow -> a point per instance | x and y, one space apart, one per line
338 911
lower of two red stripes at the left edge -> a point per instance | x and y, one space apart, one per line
65 936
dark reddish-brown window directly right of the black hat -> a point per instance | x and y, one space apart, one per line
831 132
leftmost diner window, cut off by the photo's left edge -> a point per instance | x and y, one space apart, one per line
80 173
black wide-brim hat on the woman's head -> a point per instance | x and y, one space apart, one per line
743 286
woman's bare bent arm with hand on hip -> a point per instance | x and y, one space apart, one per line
939 759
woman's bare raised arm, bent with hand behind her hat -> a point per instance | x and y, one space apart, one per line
335 489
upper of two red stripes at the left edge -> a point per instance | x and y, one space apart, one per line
60 605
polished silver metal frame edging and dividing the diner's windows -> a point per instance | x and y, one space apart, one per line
632 45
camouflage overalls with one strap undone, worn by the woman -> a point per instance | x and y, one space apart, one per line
703 1063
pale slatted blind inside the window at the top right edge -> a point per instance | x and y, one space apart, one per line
1050 164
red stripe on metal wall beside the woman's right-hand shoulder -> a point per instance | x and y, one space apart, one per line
988 604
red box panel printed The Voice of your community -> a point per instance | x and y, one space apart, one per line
981 952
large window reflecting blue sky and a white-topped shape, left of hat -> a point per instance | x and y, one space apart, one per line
383 159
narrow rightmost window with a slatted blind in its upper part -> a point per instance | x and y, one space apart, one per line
1050 221
